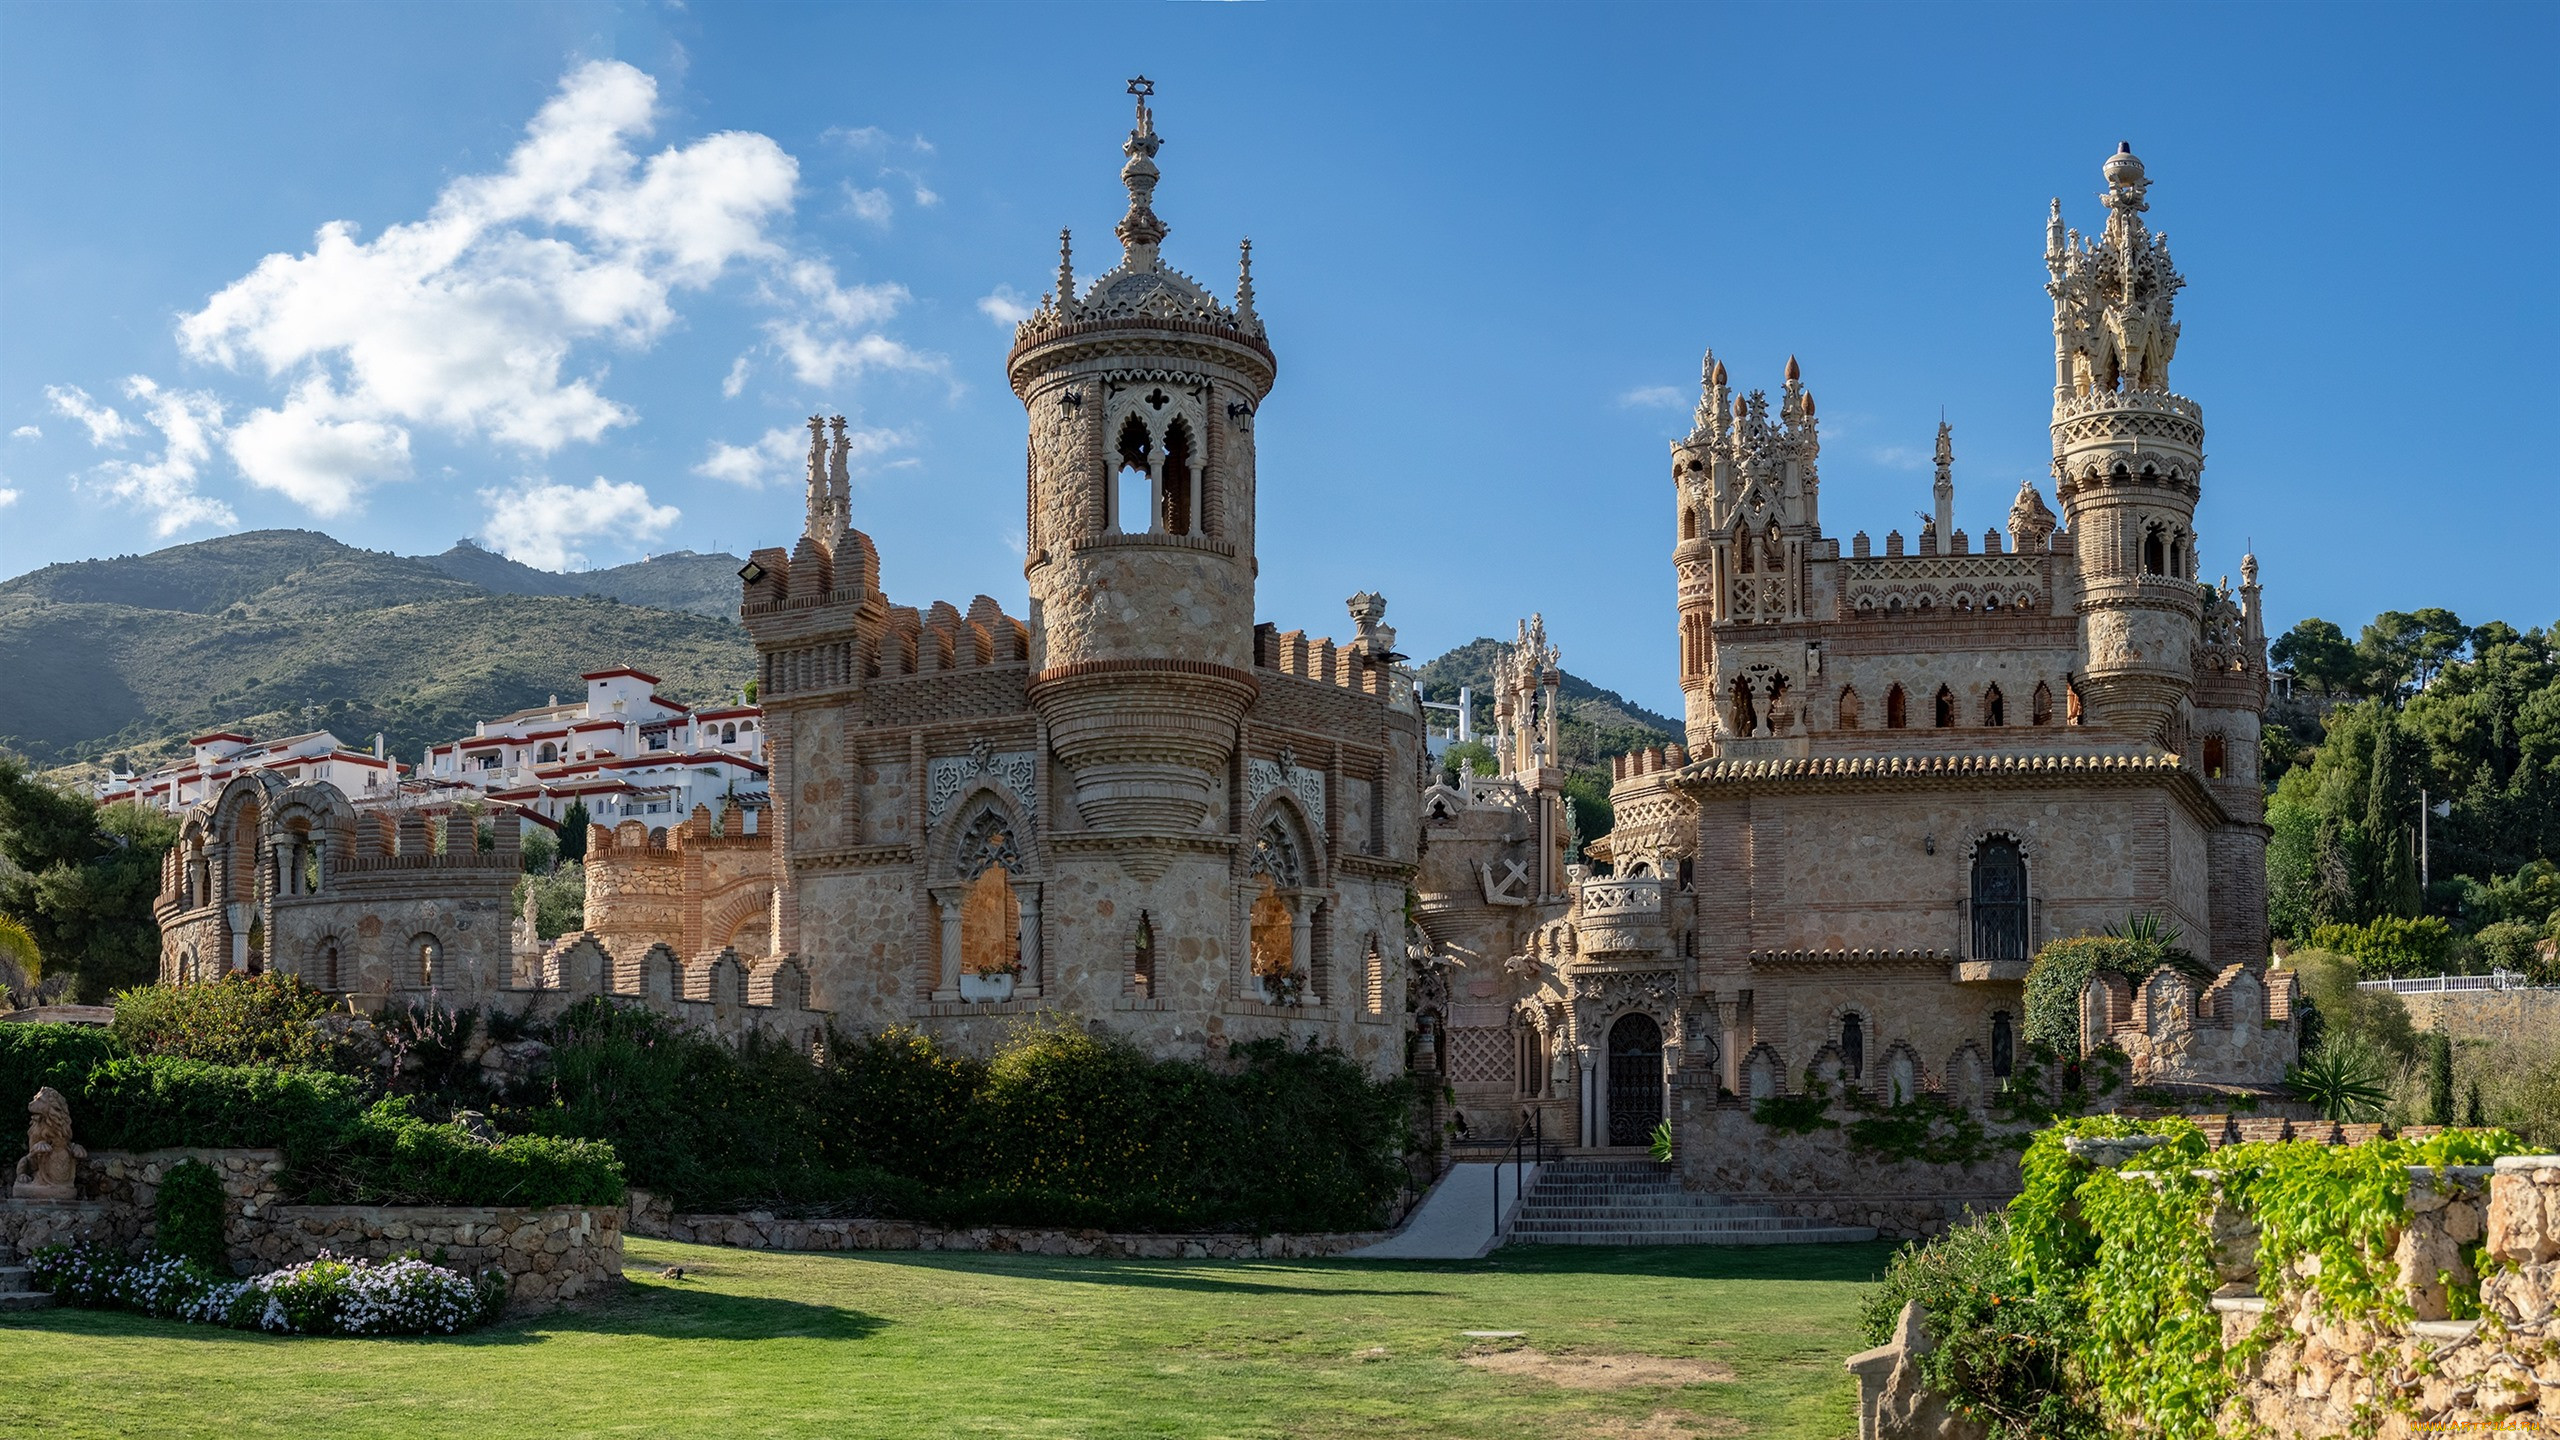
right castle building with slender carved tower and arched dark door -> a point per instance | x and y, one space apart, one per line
1903 773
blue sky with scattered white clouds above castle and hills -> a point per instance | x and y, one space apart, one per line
557 275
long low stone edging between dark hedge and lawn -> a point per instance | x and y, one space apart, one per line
759 1231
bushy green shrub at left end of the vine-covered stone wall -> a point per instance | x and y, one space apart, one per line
2003 1346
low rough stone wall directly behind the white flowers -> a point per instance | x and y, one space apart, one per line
552 1257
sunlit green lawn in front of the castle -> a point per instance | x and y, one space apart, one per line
943 1344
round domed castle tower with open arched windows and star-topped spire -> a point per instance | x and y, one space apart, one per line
1140 552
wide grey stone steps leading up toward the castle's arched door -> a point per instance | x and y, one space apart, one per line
1606 1200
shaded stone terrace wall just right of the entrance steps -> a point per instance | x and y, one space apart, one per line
1824 1177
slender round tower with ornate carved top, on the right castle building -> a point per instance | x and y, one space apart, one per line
2126 460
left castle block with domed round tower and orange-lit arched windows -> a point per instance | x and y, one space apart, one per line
1133 803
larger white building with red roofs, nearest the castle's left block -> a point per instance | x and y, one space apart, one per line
623 752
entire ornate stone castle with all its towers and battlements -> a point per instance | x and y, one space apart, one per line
1903 773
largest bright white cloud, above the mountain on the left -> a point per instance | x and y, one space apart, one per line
467 322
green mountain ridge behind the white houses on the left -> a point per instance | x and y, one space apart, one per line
283 632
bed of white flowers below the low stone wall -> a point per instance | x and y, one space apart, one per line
329 1295
